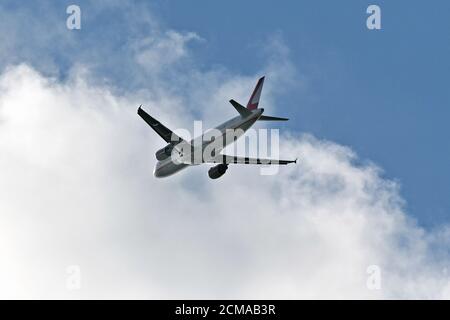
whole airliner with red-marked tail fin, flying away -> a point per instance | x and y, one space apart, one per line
178 153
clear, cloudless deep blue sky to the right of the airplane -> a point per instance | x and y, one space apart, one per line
384 93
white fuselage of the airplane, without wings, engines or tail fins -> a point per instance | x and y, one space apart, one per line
238 124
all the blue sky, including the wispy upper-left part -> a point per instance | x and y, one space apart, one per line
383 93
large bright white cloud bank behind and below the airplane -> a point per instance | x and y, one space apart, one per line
76 189
